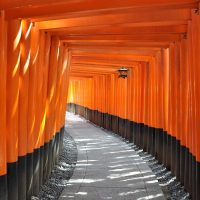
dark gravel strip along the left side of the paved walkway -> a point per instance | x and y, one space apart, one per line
62 171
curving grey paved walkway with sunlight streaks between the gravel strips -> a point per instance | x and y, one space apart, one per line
107 167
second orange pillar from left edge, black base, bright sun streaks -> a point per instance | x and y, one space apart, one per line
13 69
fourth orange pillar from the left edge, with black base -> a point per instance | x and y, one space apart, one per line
32 92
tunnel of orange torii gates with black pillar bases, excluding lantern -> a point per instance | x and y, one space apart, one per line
59 52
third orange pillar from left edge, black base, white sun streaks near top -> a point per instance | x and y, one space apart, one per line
23 105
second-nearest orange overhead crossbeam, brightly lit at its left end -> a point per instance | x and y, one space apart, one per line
121 18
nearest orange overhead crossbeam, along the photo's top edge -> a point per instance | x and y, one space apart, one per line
64 9
